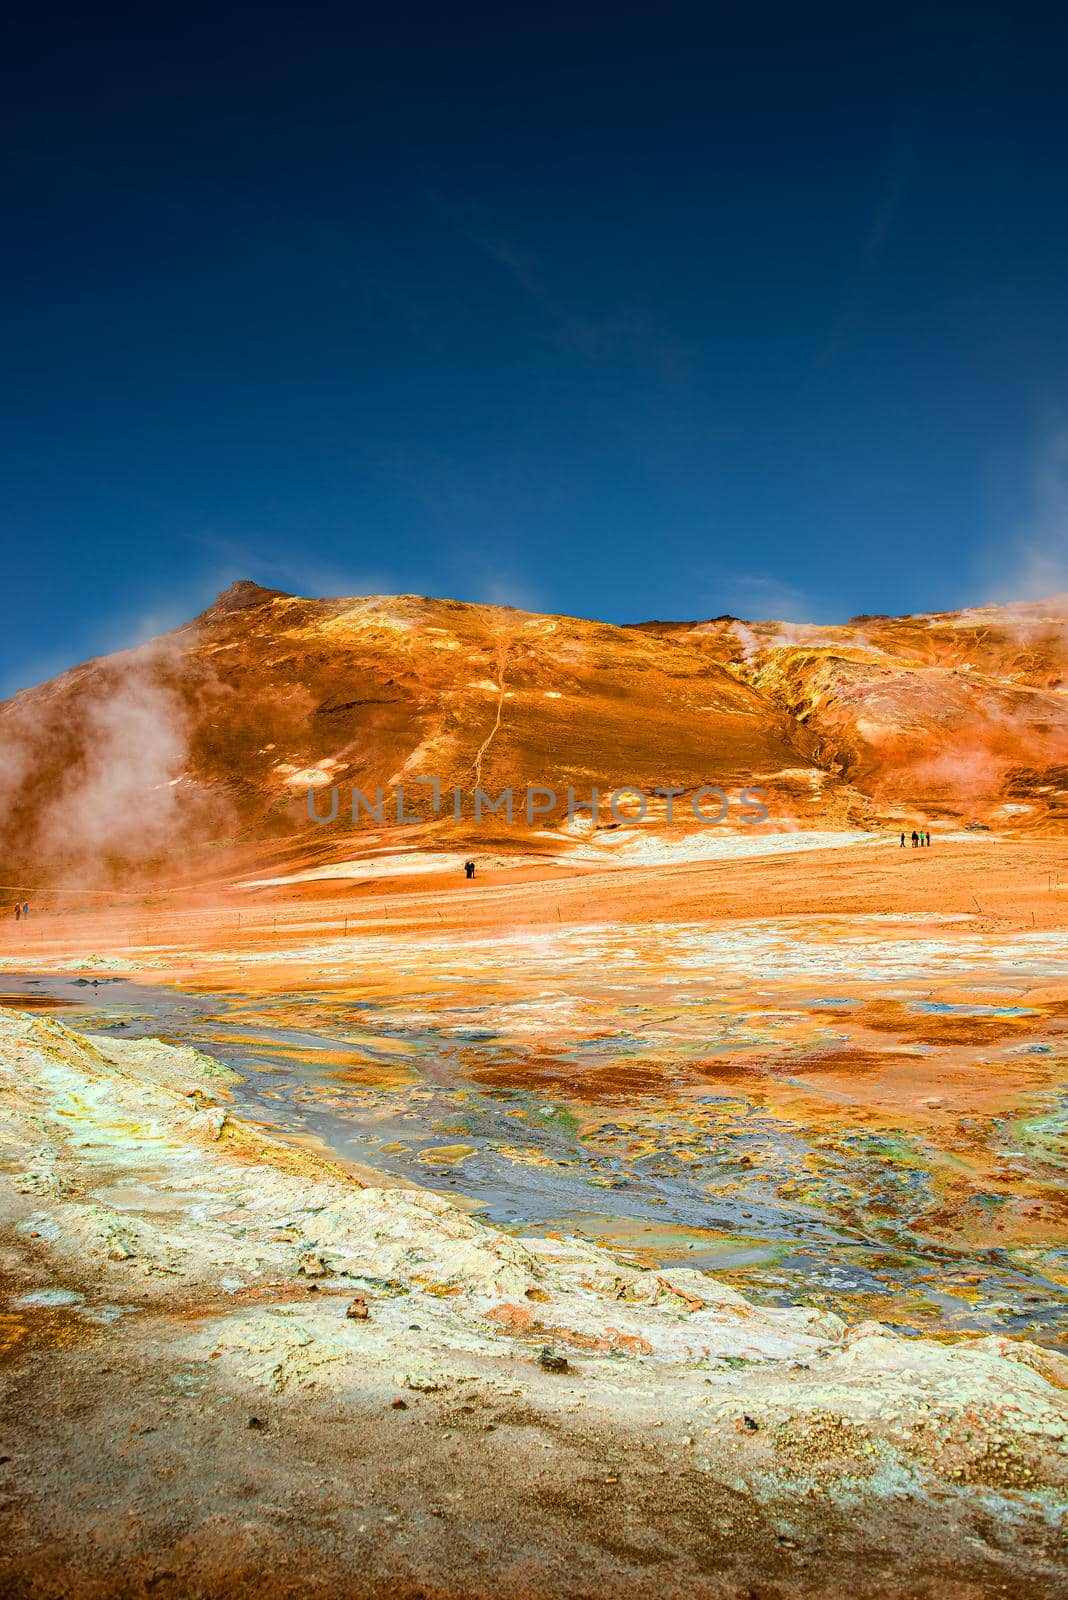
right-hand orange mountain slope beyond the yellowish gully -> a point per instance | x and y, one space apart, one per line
962 714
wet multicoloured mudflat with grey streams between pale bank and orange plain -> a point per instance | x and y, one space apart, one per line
869 1119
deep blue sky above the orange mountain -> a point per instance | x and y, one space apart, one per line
644 311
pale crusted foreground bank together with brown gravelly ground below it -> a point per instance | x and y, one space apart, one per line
261 1313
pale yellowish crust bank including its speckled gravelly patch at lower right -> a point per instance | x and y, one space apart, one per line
138 1193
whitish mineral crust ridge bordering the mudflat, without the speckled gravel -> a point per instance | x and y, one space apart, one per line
130 1166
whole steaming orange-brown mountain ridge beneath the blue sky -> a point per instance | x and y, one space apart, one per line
201 746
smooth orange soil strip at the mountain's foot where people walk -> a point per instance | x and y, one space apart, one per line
997 884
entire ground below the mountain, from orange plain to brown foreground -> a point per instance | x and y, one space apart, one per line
244 1353
